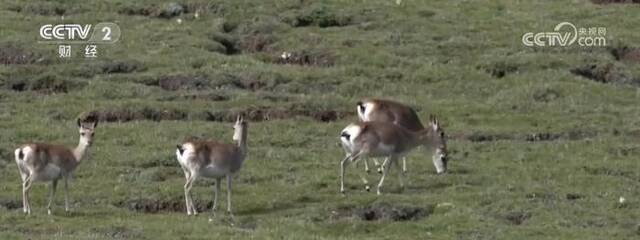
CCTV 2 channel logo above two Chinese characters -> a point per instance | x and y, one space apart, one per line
77 33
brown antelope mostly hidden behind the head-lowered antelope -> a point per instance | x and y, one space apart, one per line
394 112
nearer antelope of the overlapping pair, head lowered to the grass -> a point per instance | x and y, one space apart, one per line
384 139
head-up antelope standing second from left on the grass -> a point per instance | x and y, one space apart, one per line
212 159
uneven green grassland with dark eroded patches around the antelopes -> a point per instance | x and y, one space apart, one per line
538 152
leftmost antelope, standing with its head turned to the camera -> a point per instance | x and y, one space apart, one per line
42 162
